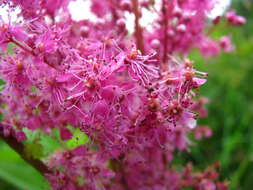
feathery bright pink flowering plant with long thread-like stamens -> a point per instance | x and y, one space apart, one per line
127 93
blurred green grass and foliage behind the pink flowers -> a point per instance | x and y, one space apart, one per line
230 90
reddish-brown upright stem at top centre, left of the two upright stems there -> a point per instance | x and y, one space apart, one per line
138 29
